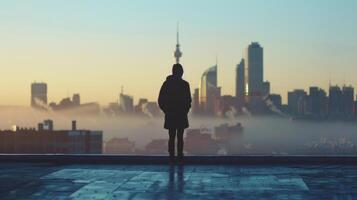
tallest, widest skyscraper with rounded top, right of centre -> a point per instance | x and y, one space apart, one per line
253 61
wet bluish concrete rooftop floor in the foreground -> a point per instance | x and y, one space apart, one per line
94 181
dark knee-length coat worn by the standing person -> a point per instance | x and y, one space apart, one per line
175 102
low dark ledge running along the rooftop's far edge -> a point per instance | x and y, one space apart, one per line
196 160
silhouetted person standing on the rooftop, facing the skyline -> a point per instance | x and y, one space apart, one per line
175 101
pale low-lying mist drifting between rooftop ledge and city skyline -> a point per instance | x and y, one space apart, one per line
261 135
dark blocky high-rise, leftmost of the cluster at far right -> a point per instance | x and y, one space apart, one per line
297 102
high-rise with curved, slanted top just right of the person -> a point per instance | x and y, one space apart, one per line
209 92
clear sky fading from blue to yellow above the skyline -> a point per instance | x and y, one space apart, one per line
96 47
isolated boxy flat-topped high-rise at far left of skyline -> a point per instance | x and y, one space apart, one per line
38 95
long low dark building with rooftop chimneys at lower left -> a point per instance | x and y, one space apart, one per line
45 140
